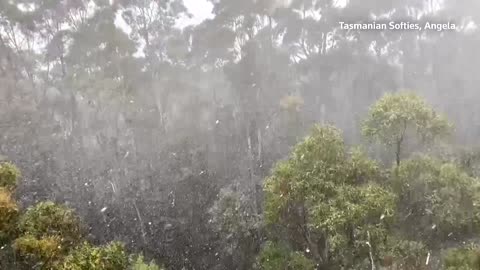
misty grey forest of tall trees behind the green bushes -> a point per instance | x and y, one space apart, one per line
142 114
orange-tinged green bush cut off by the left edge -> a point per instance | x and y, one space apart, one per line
8 216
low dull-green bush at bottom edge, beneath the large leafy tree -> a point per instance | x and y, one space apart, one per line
275 257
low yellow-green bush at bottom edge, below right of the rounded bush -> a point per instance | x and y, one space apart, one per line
86 257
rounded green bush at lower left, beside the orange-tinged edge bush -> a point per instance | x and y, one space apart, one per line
50 219
